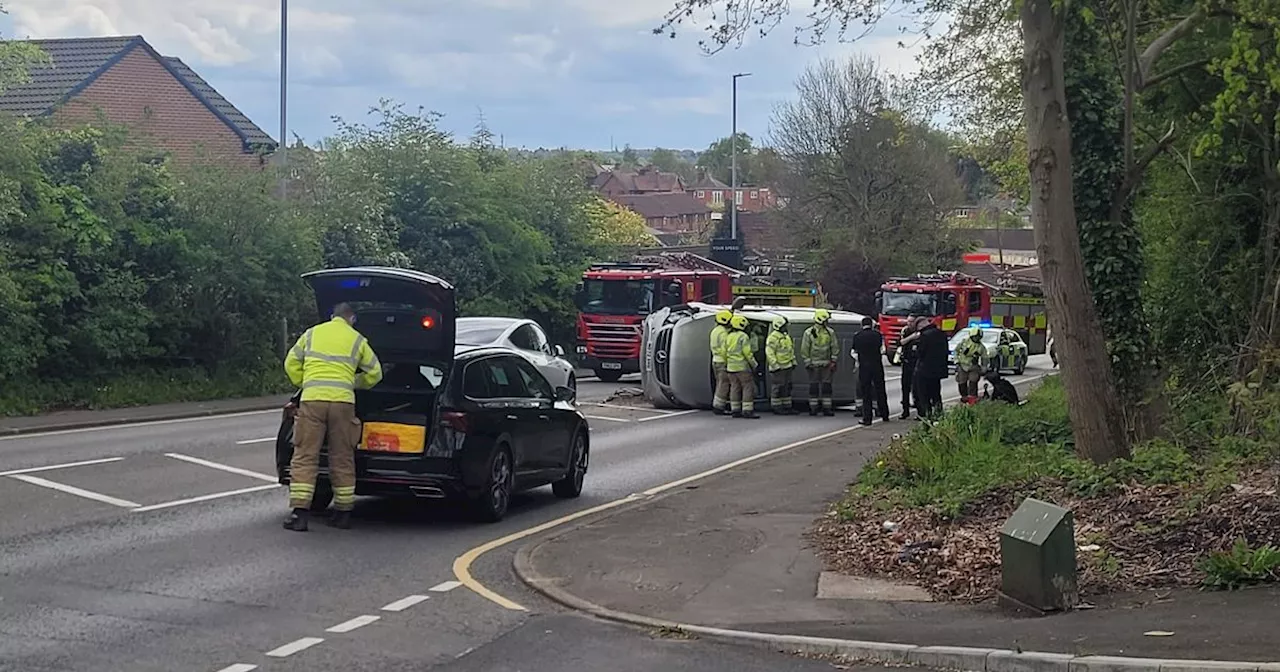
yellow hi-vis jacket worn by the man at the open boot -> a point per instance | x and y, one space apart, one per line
331 362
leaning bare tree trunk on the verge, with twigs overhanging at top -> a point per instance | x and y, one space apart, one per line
1096 413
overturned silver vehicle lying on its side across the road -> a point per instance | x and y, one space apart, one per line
676 362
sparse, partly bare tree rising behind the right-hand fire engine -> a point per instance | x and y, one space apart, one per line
867 186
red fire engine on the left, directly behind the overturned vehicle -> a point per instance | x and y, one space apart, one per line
615 299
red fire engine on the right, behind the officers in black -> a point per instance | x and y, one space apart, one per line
950 300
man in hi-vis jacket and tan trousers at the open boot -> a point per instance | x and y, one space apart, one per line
328 363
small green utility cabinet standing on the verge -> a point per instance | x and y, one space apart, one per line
1037 557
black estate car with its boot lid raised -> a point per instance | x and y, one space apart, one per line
476 424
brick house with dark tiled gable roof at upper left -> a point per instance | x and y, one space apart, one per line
125 81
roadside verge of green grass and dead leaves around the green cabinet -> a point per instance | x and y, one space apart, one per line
1196 509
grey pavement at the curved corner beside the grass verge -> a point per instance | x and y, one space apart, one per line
729 552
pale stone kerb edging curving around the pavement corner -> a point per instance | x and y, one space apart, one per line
961 659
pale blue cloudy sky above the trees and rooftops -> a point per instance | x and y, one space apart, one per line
543 74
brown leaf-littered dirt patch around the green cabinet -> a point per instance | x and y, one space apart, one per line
1148 537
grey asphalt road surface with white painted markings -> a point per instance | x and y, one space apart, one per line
158 547
